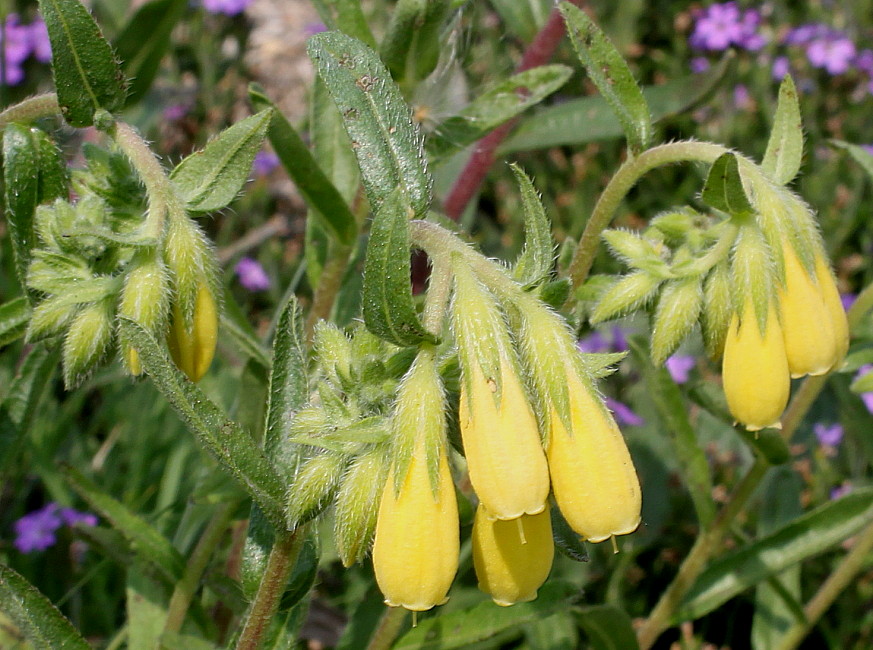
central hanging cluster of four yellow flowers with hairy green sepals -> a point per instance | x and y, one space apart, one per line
520 439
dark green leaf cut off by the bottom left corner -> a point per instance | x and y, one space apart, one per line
41 622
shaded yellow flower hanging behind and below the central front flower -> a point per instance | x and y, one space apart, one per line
512 558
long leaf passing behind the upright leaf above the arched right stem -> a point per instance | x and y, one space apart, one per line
590 119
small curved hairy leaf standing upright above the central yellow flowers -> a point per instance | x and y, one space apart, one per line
538 254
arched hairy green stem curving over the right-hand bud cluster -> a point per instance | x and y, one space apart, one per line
618 187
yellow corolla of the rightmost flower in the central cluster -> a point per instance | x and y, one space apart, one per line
593 477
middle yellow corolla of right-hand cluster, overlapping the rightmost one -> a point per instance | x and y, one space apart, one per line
807 326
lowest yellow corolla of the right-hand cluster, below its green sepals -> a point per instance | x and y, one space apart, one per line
755 370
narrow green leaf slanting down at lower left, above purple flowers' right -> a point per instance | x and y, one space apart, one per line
145 540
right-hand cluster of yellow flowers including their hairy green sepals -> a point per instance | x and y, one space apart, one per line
789 320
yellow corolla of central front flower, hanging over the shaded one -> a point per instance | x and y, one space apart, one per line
502 444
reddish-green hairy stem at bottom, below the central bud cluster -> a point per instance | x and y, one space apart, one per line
279 565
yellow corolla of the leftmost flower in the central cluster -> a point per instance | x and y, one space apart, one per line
415 553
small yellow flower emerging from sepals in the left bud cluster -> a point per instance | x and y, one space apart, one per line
193 349
